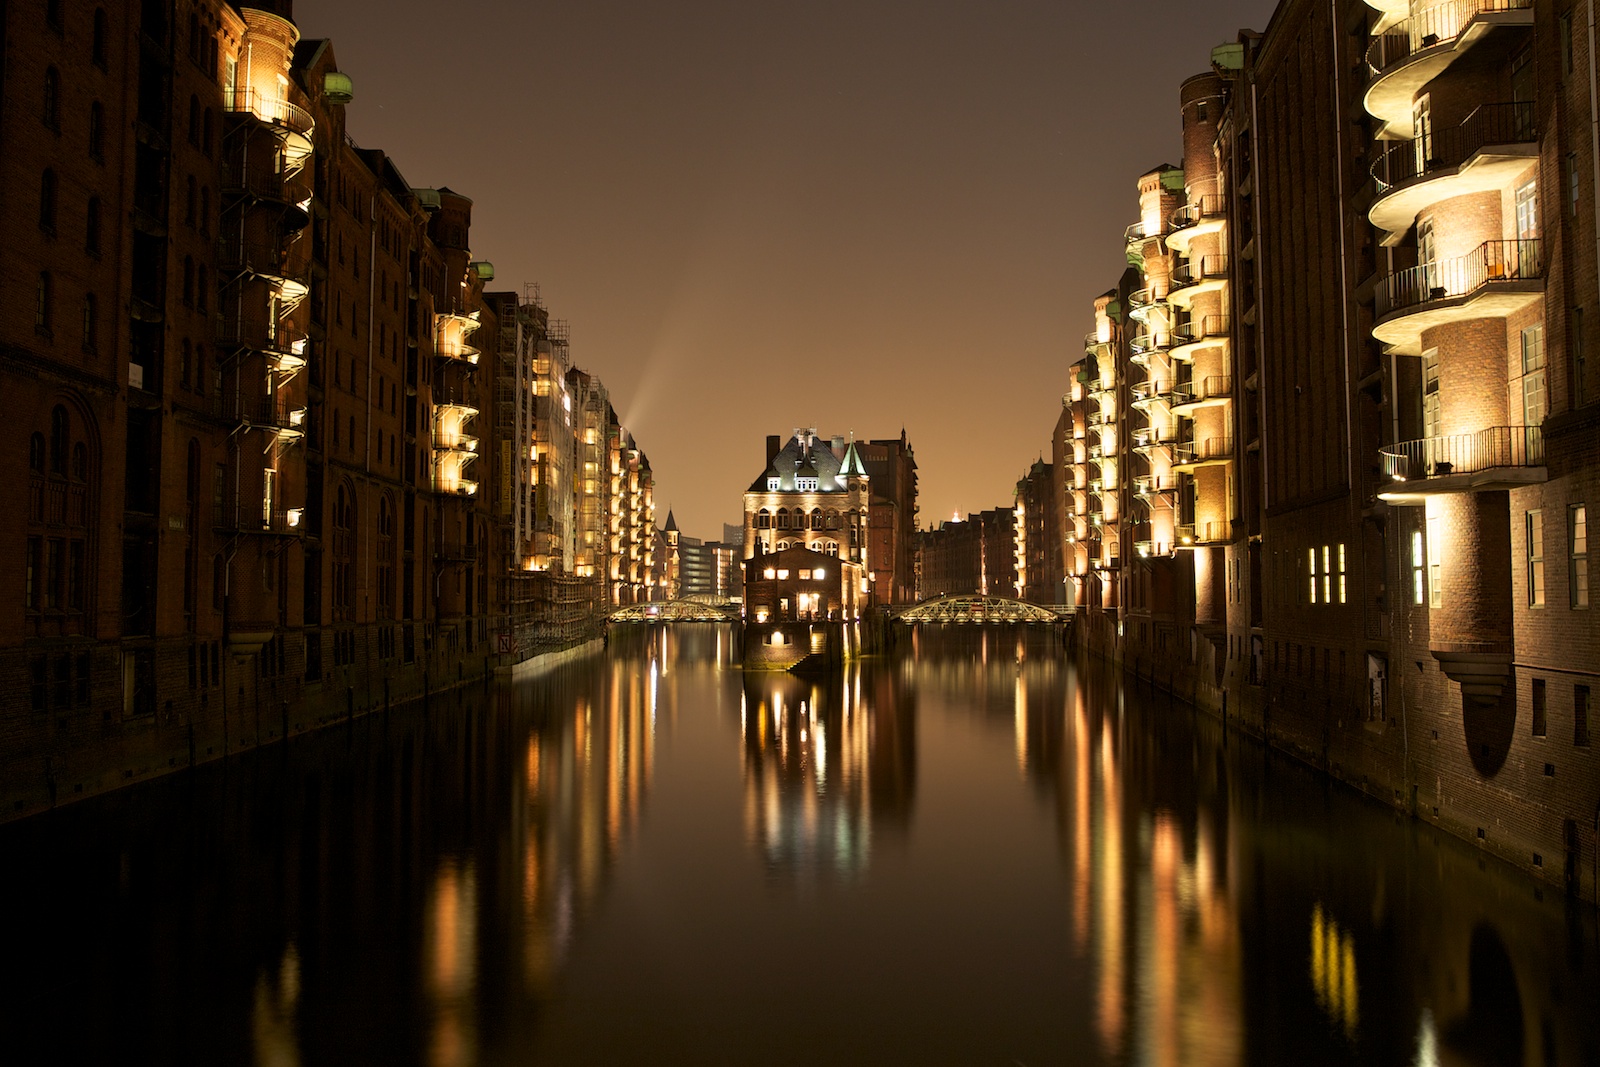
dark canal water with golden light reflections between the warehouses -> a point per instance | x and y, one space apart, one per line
974 853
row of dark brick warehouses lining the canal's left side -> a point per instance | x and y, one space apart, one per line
270 439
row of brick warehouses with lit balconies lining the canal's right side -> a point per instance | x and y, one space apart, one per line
1329 454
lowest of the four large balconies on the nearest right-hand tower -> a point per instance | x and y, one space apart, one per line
1495 458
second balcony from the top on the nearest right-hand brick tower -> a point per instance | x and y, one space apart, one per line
1484 154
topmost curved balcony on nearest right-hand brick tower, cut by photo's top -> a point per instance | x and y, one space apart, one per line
1420 49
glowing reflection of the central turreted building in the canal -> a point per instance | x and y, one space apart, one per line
828 762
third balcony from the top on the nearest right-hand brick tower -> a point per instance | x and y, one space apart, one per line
1495 281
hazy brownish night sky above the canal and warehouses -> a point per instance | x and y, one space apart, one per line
759 217
